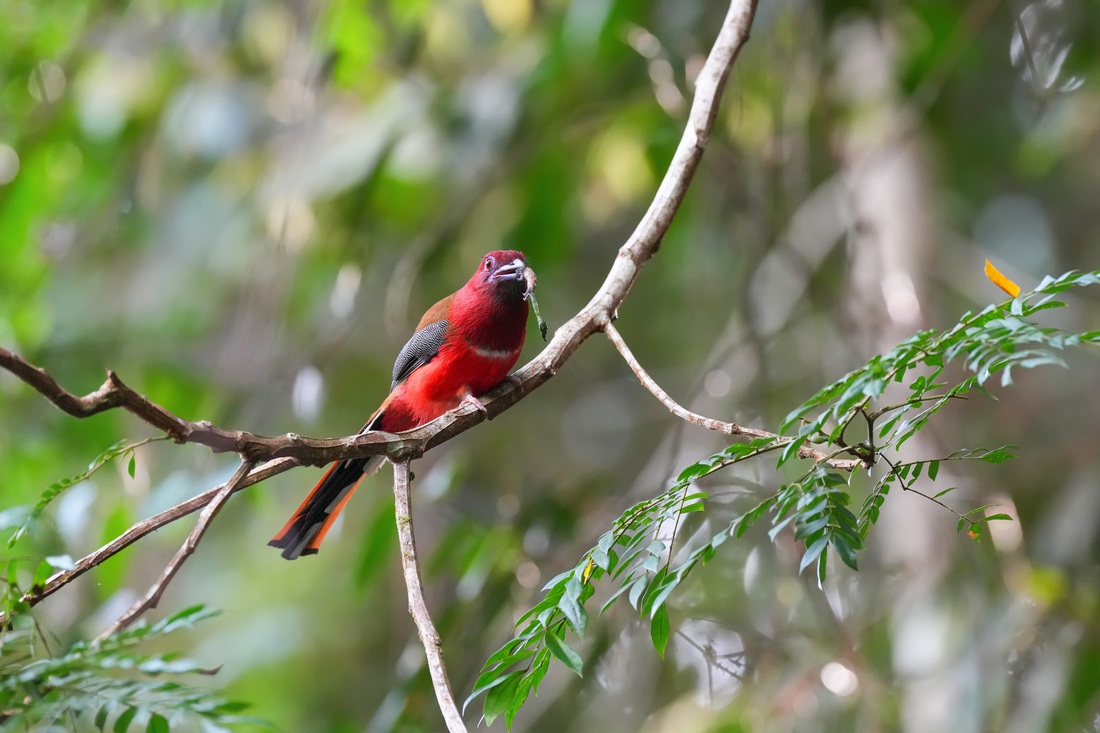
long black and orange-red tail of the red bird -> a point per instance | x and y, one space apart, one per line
304 532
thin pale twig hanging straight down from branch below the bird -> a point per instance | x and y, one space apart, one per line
419 608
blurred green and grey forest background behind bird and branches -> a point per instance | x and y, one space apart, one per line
244 207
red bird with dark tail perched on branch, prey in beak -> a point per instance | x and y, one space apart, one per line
464 347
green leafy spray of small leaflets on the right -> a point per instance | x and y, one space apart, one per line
857 417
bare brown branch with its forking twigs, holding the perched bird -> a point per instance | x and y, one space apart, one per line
276 455
